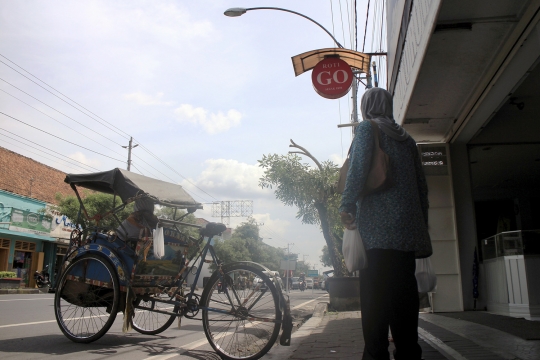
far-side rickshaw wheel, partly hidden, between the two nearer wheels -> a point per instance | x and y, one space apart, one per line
148 322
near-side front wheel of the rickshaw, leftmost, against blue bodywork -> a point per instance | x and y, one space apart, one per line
86 299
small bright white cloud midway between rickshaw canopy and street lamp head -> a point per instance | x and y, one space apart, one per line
211 122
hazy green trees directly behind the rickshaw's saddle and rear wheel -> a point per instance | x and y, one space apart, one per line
245 245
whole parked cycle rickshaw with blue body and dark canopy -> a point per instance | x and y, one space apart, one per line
103 275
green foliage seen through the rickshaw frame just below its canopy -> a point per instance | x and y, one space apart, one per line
95 203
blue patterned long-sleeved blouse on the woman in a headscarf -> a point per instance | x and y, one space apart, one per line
395 218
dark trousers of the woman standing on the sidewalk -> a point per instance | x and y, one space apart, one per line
389 299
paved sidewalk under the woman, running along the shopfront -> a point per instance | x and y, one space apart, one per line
331 335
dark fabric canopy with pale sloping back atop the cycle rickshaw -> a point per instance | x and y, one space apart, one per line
127 184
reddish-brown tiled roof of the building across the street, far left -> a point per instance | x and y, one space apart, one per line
24 176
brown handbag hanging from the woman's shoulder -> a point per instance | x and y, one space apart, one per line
378 178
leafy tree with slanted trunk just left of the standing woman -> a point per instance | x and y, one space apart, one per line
312 191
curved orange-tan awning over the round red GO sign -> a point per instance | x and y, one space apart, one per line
307 61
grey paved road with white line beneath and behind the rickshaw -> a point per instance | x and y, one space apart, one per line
28 329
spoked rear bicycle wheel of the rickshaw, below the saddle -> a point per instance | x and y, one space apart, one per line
240 323
